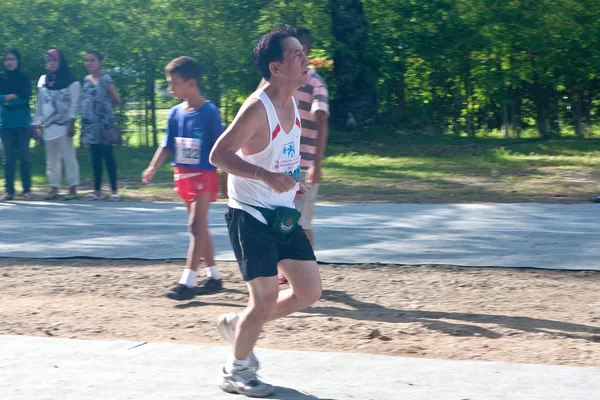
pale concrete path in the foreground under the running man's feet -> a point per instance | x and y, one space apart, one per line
34 368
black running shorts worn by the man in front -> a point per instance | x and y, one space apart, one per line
258 248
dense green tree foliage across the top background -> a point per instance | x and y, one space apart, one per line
438 65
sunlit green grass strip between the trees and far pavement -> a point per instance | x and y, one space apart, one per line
384 165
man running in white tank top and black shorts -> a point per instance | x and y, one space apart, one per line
261 153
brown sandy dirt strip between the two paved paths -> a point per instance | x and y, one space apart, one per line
526 316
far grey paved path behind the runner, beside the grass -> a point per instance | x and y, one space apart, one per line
504 235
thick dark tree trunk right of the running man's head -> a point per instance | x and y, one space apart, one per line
355 101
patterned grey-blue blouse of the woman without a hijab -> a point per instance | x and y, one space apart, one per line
96 109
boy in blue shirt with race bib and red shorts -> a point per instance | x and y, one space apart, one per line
192 129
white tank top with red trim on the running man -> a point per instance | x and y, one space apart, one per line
282 154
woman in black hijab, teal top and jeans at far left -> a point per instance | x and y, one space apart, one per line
15 91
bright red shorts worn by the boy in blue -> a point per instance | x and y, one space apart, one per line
191 183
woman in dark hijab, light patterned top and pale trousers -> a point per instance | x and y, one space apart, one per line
57 107
